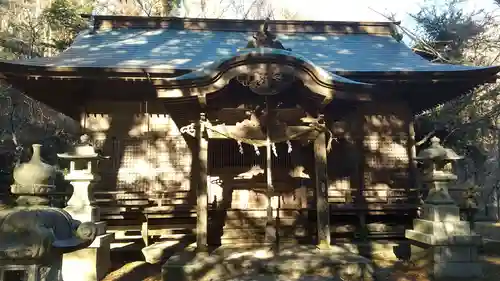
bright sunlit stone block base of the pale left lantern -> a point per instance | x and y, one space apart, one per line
89 264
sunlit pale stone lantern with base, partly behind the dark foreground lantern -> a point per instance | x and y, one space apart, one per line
93 262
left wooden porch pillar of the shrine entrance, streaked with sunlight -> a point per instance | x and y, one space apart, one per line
201 157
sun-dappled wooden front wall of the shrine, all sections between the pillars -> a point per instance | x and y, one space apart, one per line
151 159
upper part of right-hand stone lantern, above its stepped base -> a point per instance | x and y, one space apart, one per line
437 172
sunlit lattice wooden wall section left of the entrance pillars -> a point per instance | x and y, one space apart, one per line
150 159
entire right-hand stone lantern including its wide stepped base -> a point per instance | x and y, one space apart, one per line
439 238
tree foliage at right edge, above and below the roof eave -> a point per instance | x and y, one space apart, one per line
469 124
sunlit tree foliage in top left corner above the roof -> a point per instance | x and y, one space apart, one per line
32 30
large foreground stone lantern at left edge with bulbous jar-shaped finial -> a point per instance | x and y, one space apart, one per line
35 236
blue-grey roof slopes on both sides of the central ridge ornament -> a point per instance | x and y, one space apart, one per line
193 49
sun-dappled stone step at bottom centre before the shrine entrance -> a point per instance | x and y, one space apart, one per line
289 263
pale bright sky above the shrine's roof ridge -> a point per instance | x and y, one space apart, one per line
327 10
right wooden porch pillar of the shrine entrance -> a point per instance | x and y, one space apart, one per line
322 208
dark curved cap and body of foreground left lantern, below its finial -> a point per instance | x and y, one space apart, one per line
34 240
